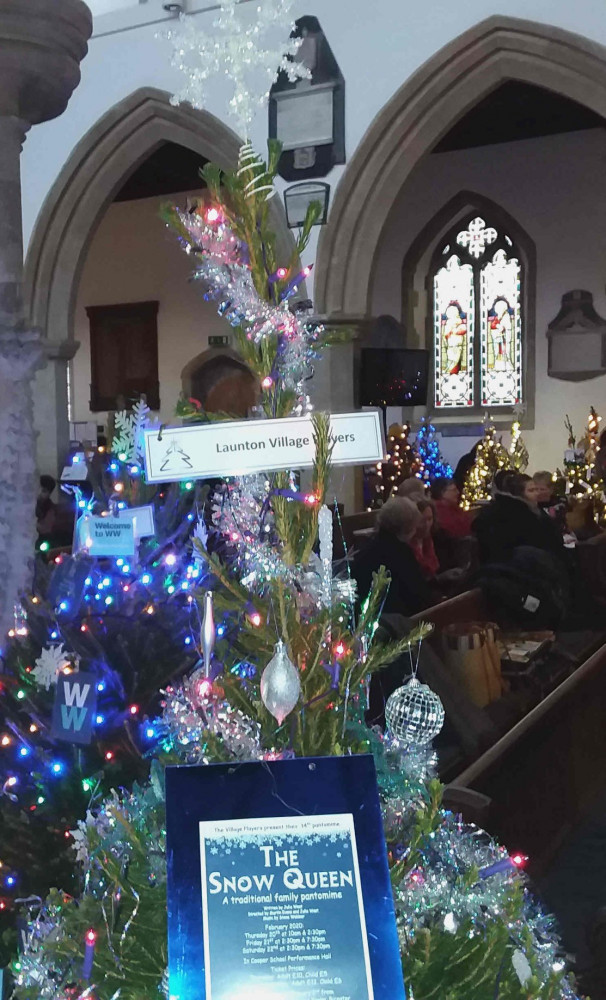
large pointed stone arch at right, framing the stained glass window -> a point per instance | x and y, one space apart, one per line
420 113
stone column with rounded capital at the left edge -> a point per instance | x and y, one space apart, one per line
41 45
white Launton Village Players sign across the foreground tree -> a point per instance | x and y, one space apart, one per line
238 447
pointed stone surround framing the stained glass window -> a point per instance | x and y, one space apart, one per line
429 238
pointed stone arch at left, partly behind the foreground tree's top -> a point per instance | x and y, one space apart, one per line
98 166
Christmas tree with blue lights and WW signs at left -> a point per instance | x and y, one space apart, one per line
111 630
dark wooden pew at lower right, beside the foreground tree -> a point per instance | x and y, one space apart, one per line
540 778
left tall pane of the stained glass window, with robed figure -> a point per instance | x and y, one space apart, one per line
454 316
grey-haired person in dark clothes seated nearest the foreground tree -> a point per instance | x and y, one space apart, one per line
398 522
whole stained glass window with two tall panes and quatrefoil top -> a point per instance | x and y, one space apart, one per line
477 286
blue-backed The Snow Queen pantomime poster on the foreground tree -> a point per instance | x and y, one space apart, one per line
278 884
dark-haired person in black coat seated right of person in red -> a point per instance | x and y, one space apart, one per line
514 519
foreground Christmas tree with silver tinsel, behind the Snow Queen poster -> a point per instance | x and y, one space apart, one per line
289 676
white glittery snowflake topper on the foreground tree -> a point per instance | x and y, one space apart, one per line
248 43
